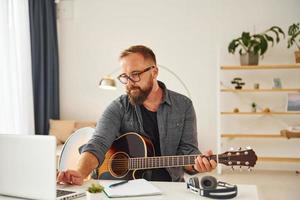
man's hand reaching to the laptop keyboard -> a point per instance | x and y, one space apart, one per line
72 177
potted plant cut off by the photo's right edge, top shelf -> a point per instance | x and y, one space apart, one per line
294 39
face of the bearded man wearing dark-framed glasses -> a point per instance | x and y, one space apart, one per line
131 66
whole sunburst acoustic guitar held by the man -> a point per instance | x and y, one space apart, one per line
131 154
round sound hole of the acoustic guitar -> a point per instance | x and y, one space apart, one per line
119 165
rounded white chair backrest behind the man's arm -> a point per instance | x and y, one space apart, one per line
70 151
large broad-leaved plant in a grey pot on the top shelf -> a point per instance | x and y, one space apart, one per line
255 45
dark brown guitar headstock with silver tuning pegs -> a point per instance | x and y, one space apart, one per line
239 157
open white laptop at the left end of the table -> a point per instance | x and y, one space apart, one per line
28 168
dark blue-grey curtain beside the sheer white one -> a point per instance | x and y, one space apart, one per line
45 68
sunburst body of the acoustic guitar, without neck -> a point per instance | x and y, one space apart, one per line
115 164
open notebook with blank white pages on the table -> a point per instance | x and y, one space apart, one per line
136 187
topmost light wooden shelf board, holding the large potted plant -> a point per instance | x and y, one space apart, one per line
262 67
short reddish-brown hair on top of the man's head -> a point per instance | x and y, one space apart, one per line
146 52
